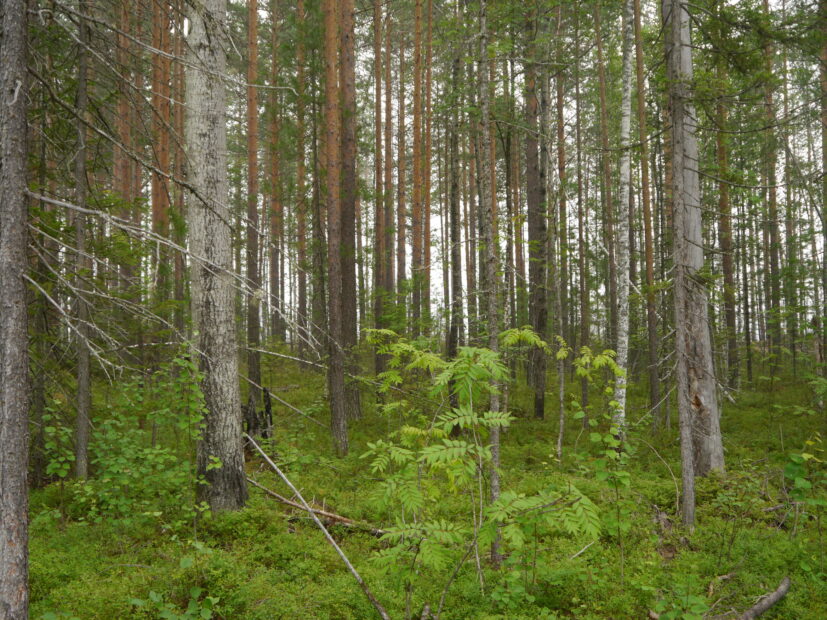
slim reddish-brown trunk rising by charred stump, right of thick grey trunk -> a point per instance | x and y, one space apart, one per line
253 272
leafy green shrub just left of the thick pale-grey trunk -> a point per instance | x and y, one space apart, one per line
136 451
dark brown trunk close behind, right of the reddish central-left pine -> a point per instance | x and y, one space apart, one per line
347 299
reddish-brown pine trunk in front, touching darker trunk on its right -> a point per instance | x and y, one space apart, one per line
332 118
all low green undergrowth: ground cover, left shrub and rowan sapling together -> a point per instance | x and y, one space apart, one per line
592 536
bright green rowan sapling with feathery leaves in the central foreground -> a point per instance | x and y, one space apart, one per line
423 466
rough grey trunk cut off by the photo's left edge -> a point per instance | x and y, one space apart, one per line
14 362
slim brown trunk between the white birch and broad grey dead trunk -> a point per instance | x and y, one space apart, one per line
648 239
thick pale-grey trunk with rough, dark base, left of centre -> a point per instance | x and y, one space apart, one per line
208 220
